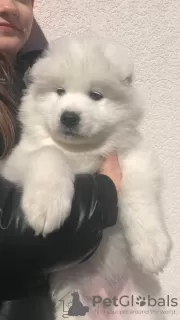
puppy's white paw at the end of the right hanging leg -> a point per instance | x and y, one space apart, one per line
152 254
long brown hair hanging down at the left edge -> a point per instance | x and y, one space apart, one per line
7 107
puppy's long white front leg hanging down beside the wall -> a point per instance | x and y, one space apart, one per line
141 212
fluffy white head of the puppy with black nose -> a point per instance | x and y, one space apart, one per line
82 88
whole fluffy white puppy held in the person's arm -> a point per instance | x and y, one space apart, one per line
80 106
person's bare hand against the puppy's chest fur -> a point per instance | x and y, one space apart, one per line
111 168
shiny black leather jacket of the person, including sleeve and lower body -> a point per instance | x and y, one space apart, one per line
26 259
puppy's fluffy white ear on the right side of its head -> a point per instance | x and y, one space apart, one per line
119 58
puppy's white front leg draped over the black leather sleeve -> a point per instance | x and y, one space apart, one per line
48 190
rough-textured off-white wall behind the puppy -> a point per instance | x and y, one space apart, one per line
151 30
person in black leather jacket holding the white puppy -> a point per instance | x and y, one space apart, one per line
27 259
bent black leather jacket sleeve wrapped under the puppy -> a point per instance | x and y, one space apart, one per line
25 256
